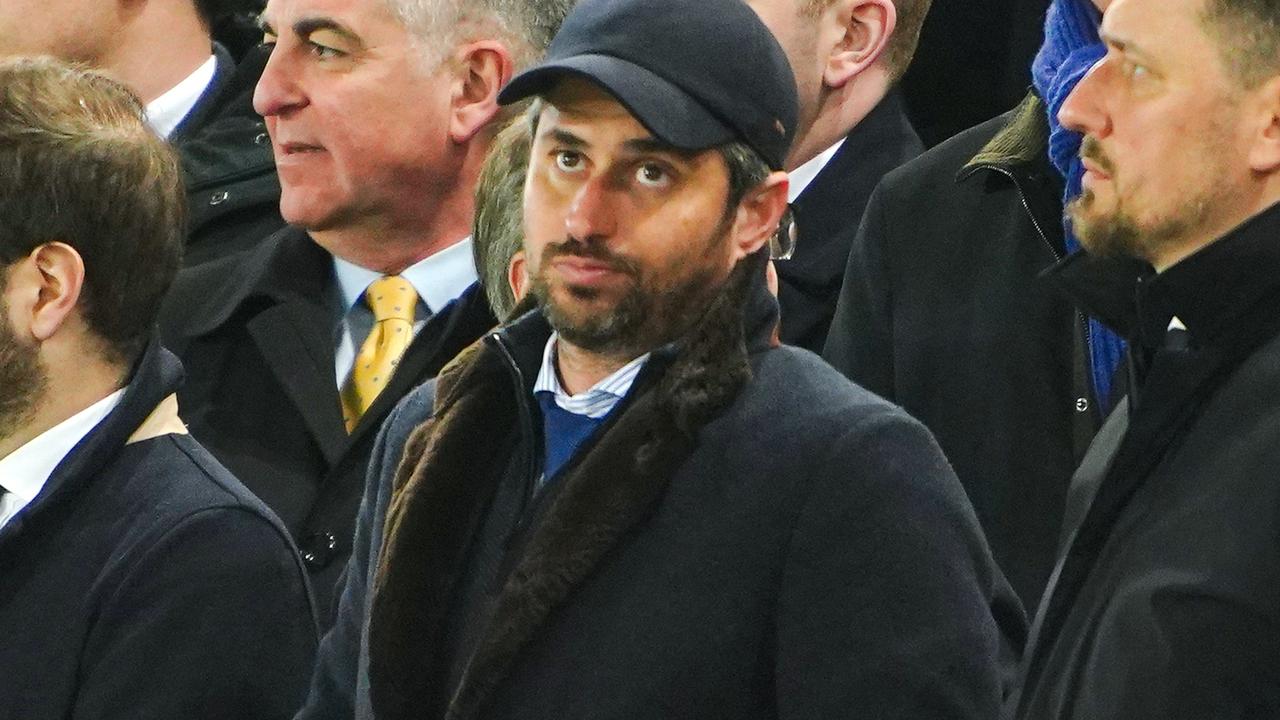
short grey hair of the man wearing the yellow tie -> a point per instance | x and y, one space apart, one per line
527 26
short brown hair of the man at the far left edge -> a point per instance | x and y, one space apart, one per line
83 167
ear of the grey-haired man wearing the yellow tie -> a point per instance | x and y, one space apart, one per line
482 70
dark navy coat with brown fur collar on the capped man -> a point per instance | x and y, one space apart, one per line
806 554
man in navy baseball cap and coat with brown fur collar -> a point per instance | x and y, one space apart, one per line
632 504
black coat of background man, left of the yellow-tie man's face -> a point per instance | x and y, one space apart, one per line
234 195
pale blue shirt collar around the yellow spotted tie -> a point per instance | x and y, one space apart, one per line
438 280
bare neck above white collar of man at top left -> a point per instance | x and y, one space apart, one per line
159 49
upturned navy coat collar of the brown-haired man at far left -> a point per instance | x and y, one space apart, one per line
156 379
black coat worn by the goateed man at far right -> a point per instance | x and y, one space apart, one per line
1167 598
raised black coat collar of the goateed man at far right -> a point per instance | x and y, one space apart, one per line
1209 291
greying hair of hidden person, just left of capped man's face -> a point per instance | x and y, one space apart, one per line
499 231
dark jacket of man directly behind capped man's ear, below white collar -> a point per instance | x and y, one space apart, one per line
828 216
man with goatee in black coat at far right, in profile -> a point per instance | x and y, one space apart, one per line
1167 595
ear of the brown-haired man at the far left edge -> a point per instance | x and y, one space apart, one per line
43 290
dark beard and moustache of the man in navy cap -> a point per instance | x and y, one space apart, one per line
644 318
